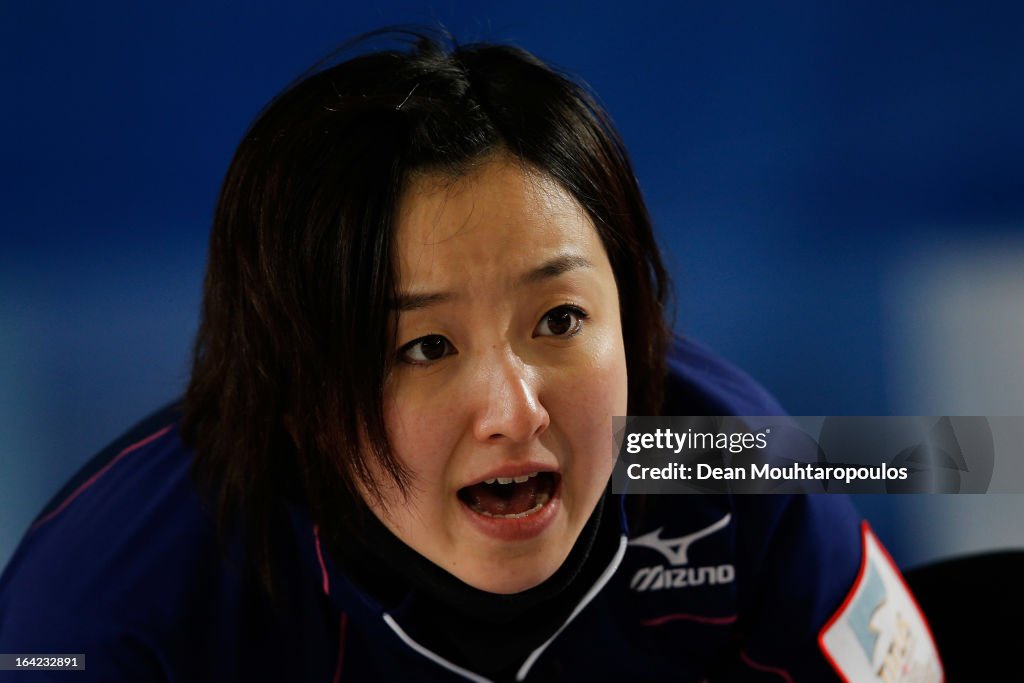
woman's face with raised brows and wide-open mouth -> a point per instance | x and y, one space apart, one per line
510 365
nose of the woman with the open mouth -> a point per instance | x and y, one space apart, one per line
510 408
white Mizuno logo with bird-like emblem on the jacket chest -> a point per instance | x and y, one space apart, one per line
675 550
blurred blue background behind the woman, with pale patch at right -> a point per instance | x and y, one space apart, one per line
821 176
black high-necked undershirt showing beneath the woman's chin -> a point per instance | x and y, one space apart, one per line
487 633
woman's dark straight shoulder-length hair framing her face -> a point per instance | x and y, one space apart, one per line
301 280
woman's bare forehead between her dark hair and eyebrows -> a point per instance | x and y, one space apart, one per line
499 218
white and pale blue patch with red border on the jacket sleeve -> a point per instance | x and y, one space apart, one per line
879 633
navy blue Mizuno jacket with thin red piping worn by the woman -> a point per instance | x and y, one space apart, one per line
124 567
